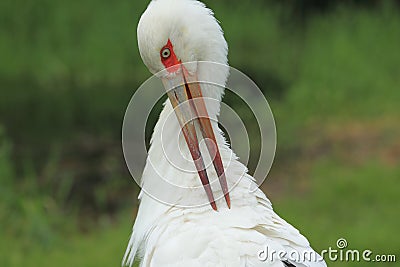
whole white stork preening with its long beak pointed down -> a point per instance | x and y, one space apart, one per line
238 229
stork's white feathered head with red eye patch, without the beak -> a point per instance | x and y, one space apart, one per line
173 31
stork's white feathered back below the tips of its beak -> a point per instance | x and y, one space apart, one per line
245 235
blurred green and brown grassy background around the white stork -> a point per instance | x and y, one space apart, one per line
330 69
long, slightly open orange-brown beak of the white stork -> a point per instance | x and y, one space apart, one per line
186 98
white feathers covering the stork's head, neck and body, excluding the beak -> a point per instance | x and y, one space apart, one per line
165 235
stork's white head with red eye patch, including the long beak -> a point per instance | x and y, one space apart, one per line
172 33
